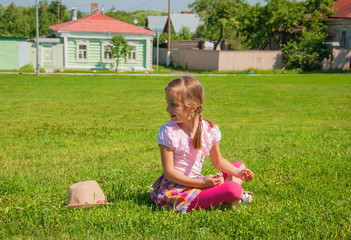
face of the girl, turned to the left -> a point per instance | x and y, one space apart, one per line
178 112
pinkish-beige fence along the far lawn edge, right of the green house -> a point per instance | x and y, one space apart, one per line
209 60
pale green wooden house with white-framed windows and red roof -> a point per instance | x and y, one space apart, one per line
85 44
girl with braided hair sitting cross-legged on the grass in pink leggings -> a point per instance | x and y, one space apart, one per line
184 143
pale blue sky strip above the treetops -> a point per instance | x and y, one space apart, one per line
121 5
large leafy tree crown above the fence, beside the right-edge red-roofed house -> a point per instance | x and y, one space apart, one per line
281 21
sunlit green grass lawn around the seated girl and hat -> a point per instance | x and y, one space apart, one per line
294 132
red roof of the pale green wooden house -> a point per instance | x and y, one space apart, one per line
98 22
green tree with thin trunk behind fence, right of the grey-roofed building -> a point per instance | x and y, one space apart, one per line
219 17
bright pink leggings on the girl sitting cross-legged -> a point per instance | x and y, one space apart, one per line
226 192
